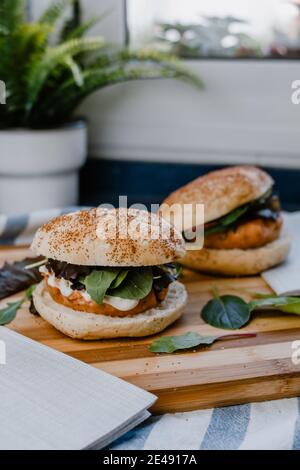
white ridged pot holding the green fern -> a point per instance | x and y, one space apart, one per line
39 169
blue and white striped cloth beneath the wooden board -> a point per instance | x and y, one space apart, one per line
269 425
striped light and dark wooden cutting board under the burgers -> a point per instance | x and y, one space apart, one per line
229 372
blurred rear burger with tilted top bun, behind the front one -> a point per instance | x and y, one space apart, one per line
243 233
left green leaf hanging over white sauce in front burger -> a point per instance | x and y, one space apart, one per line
98 282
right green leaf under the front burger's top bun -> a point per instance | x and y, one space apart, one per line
136 286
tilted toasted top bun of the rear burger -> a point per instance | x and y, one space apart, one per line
223 190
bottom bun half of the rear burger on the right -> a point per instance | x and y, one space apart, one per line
236 262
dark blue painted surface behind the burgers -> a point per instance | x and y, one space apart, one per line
102 181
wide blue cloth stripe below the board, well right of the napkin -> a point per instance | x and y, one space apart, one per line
227 428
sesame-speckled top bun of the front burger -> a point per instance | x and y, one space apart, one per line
109 237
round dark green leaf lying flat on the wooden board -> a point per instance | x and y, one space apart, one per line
228 312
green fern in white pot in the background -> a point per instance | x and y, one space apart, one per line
48 71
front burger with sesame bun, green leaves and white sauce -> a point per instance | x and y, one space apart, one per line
109 273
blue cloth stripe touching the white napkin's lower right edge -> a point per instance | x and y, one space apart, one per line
135 439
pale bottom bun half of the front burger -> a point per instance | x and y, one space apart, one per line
90 326
